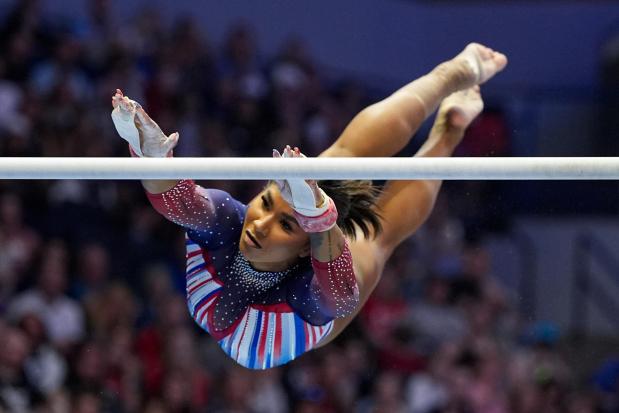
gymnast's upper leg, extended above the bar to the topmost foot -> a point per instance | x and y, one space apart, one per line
384 128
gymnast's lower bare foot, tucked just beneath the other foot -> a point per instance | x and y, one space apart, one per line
456 113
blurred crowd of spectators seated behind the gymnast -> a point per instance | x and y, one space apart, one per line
92 312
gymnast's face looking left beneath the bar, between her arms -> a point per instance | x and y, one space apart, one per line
272 239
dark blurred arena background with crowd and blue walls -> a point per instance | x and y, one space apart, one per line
504 302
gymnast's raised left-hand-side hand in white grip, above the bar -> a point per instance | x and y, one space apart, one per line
136 127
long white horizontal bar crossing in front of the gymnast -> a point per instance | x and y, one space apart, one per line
311 168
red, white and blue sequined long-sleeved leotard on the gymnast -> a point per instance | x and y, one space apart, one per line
260 319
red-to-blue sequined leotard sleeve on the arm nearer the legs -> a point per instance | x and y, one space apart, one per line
331 293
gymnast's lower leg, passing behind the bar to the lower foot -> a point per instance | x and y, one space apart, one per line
405 205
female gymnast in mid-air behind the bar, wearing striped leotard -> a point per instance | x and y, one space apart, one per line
288 272
